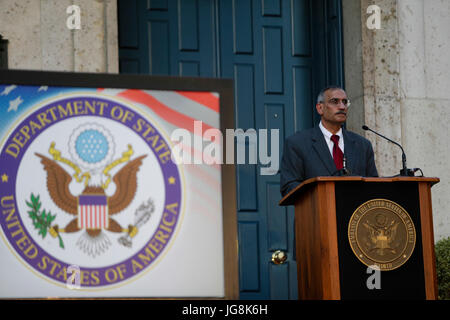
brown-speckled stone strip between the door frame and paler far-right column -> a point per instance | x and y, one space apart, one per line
382 108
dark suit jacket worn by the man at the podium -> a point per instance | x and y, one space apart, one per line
306 155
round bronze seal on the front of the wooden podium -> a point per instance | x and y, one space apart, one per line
382 233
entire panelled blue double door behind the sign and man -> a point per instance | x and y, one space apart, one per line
279 53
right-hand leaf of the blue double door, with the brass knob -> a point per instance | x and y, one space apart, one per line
278 97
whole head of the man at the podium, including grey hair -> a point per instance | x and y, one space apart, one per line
332 106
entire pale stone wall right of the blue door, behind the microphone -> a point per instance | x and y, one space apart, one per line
399 77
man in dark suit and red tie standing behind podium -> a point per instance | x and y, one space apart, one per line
327 149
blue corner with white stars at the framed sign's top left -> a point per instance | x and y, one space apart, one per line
15 100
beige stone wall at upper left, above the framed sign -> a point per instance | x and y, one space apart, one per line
39 38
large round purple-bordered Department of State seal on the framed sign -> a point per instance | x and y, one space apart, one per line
88 181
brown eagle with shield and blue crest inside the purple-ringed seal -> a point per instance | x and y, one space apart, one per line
93 211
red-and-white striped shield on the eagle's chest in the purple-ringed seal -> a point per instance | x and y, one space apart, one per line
92 212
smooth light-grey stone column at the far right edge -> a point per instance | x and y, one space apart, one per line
424 45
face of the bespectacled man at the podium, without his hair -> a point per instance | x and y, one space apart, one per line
333 110
